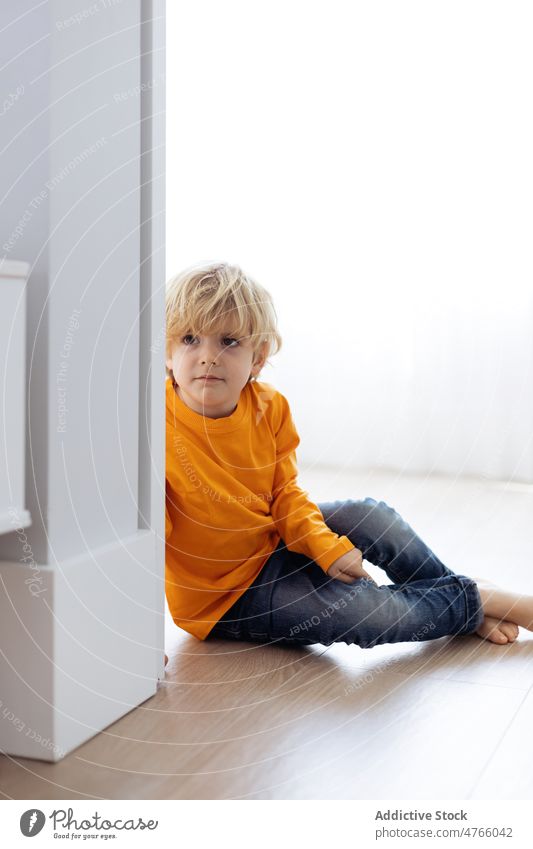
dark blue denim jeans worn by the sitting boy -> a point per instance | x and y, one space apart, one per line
293 600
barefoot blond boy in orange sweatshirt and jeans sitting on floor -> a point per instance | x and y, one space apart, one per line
248 555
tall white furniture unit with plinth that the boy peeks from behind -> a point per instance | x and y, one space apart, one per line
88 646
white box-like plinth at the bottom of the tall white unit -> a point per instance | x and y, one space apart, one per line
81 644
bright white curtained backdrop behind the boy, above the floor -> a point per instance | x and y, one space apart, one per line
370 164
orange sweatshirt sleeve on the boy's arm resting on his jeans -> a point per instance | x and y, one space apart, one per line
298 520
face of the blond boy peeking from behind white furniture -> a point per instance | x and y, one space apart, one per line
226 359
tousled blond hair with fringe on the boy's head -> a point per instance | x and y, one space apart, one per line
213 297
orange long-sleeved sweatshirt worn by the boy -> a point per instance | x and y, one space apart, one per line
231 495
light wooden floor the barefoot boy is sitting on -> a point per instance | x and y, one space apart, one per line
445 719
